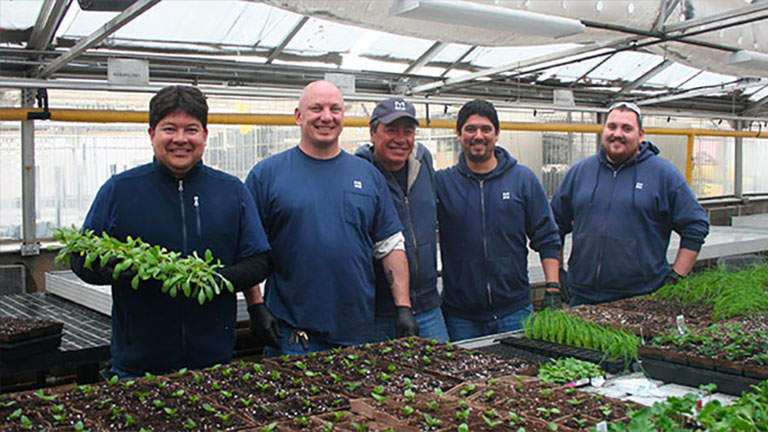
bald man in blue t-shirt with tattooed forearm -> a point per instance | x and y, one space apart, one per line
327 215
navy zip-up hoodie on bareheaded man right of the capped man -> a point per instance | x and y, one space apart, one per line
484 228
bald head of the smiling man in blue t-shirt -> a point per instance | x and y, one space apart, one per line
320 115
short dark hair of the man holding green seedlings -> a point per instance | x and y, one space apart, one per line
178 98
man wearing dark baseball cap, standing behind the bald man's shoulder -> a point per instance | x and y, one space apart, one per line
408 170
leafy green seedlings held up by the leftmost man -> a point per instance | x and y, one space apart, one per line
192 276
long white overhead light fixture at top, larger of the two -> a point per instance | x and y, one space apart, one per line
478 15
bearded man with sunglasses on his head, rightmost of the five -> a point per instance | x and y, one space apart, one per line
621 206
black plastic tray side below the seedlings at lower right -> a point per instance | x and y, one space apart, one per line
692 376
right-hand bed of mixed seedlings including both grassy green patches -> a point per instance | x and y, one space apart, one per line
715 320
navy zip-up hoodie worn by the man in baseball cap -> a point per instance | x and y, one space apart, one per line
417 210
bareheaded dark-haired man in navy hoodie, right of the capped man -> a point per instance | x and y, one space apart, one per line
489 207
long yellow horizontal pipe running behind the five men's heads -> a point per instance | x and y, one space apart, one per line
112 116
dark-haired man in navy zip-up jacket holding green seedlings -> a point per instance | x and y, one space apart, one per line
180 204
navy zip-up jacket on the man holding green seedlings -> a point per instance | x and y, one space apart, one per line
207 209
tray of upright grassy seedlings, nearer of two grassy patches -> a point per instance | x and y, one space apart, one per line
556 334
